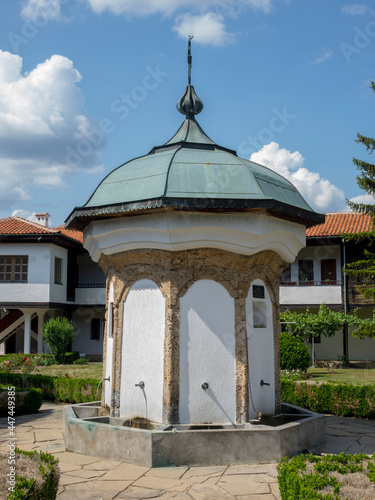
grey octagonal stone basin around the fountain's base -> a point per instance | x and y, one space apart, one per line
100 435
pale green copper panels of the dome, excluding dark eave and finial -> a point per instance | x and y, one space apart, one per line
192 167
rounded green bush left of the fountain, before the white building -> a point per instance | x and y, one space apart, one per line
58 333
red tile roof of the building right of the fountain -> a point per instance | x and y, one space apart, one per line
341 222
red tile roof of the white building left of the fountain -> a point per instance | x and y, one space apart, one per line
20 226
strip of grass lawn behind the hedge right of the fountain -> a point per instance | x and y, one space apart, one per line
356 376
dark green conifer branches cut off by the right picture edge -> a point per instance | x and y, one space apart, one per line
363 270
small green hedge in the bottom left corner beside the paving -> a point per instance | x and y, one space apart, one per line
27 487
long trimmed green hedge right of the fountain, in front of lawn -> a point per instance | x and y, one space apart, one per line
343 400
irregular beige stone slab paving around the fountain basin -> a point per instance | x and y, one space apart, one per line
91 478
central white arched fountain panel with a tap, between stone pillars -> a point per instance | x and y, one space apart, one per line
207 354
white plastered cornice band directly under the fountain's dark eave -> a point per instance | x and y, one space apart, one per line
246 234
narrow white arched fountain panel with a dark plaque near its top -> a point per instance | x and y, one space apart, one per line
261 352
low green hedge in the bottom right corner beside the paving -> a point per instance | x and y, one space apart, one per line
306 476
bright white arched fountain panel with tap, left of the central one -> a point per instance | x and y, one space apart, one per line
143 352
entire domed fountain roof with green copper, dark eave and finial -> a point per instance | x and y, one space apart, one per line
192 172
